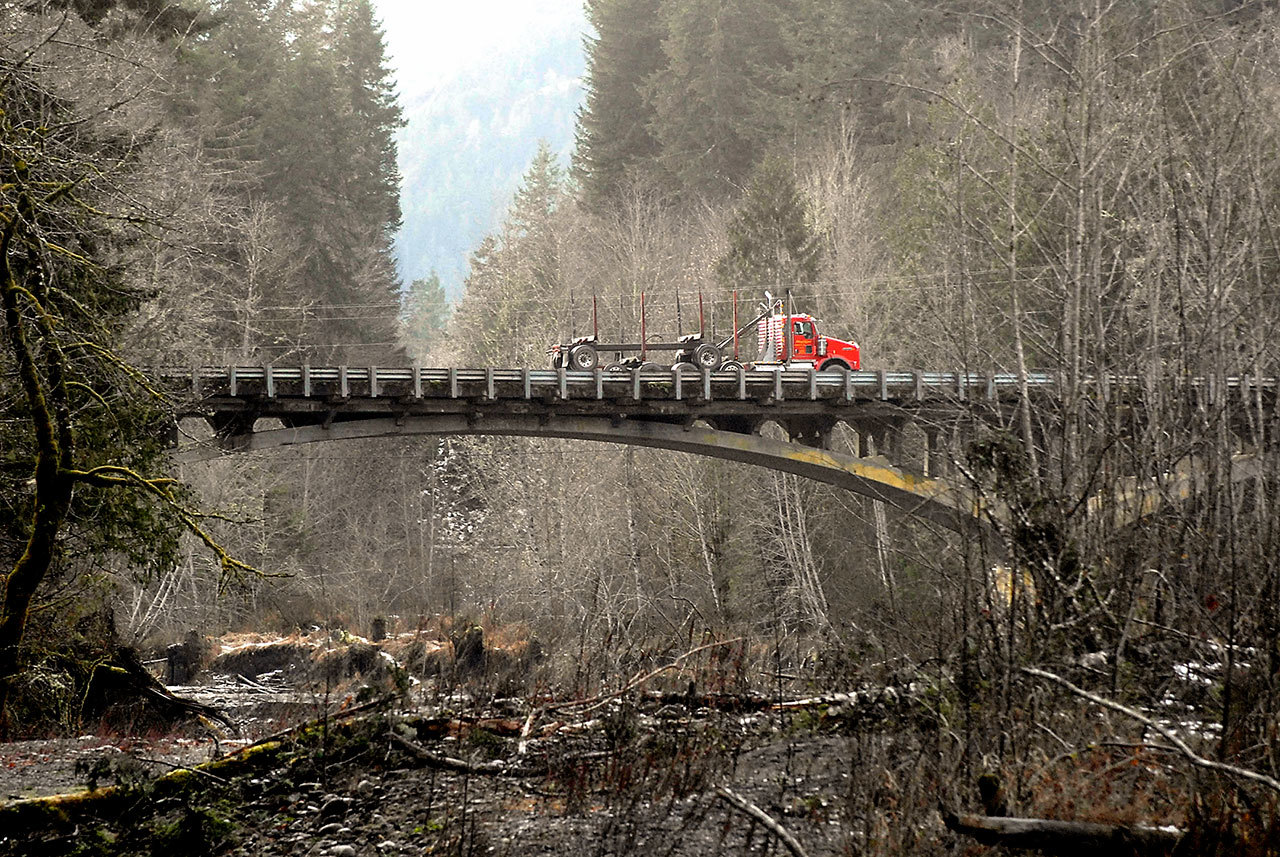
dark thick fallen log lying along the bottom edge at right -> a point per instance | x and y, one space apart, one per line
1068 838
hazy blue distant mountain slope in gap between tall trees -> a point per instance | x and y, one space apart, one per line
470 140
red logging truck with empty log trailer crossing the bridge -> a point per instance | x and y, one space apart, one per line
785 340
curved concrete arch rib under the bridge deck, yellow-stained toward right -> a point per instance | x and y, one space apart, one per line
872 478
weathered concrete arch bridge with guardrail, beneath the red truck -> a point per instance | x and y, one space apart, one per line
900 424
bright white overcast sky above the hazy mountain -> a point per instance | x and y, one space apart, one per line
429 39
